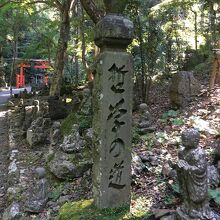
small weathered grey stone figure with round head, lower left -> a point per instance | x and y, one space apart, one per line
38 201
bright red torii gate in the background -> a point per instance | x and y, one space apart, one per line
39 64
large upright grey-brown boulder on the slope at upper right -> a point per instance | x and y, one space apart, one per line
183 88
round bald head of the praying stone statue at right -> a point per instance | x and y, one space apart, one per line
190 138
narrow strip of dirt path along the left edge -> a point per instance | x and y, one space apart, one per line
3 157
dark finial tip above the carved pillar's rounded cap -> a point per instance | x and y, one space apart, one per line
115 6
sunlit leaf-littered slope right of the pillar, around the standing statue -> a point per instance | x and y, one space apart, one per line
157 186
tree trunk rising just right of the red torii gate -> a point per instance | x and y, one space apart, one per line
61 49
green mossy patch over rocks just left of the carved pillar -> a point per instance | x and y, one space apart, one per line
83 121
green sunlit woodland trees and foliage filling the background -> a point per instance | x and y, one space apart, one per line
170 35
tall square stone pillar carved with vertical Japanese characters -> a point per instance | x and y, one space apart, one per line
112 109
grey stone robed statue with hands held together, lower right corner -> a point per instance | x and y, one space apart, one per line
193 180
